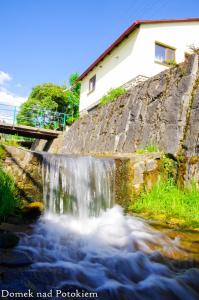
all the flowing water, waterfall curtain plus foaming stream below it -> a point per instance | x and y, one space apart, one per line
85 244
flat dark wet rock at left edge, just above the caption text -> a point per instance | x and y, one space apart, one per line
15 258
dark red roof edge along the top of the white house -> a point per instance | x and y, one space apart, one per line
135 25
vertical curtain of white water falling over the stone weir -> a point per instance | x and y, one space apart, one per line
81 186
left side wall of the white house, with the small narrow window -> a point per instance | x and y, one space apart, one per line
117 62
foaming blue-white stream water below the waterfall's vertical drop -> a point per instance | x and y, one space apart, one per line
113 256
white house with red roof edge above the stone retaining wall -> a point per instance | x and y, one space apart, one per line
143 50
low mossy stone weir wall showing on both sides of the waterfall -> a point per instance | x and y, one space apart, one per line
133 173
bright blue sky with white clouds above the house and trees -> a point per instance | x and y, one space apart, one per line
47 40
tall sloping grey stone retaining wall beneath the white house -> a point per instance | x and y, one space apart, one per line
156 111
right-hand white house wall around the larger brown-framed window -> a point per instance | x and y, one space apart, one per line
177 35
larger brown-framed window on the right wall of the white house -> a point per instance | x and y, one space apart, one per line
164 54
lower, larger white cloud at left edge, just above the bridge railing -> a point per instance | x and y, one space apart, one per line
9 98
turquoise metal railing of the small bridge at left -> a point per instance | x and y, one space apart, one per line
35 117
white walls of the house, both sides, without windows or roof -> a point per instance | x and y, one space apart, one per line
136 56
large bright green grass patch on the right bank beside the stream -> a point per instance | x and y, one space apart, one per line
165 198
